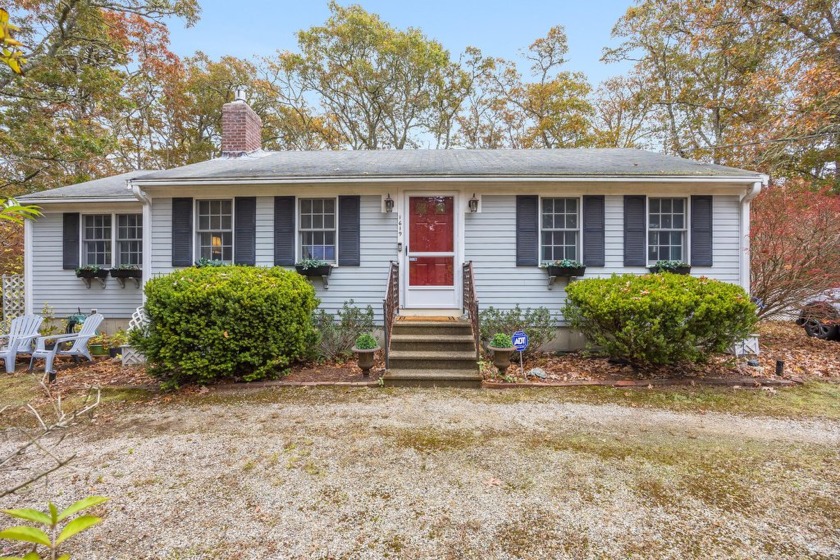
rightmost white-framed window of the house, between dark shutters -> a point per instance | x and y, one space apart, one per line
667 229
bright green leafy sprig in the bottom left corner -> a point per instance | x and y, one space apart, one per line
50 537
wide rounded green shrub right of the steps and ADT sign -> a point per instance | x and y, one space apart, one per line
659 319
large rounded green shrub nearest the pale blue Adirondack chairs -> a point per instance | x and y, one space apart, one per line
208 323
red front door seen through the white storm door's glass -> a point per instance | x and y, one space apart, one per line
431 238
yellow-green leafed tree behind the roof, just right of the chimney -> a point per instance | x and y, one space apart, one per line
375 84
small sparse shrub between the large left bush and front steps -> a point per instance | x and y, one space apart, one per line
334 338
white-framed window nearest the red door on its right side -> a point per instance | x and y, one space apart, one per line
559 229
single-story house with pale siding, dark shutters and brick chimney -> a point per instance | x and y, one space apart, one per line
506 211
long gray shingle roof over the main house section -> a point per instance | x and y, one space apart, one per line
446 163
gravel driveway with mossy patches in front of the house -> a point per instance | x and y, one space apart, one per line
372 473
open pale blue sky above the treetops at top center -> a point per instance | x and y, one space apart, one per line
245 28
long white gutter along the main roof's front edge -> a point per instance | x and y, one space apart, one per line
445 179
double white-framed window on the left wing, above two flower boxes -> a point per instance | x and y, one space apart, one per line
106 246
